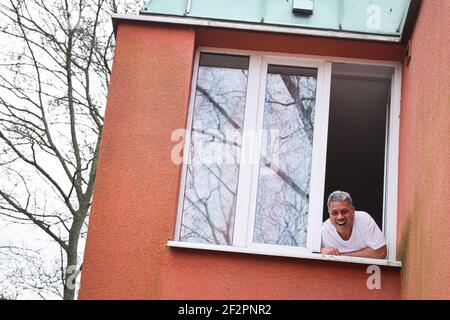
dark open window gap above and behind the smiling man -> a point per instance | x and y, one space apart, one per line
357 135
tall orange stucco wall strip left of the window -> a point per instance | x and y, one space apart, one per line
136 186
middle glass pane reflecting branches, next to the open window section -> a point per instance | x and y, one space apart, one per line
286 152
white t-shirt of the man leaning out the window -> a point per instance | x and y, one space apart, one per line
365 233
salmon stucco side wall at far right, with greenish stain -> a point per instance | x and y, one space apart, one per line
424 165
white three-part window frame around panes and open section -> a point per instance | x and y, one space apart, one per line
248 172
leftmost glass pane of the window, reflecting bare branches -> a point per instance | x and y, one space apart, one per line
212 172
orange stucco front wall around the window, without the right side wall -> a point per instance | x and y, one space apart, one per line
136 194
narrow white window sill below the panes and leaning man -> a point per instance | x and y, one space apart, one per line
284 252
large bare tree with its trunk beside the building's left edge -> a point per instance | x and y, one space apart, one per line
53 84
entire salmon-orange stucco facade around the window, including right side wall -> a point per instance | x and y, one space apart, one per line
137 188
